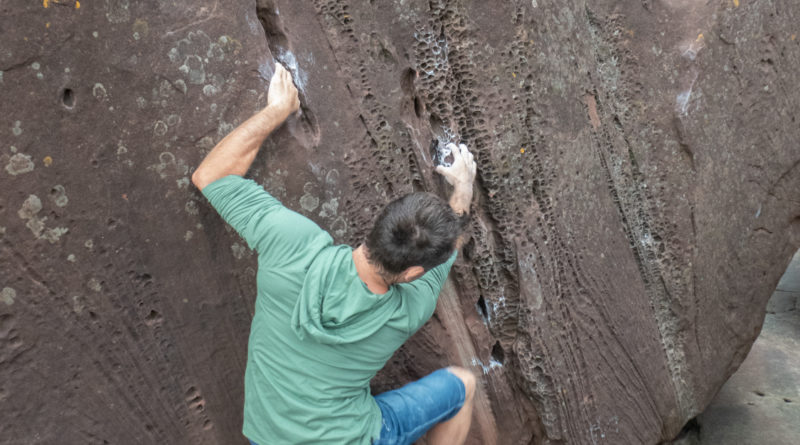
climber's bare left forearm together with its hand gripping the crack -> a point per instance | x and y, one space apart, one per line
234 154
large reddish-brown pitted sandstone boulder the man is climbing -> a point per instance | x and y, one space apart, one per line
636 205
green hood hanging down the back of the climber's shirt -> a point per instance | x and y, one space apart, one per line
334 306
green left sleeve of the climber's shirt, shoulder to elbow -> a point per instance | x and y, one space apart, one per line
277 233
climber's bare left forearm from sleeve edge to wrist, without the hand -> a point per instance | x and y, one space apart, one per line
234 154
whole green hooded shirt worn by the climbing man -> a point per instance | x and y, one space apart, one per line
318 335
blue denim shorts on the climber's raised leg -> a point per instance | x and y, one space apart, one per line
412 410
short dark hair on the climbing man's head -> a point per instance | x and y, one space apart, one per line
419 229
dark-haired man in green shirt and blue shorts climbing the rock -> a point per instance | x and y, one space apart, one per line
327 316
